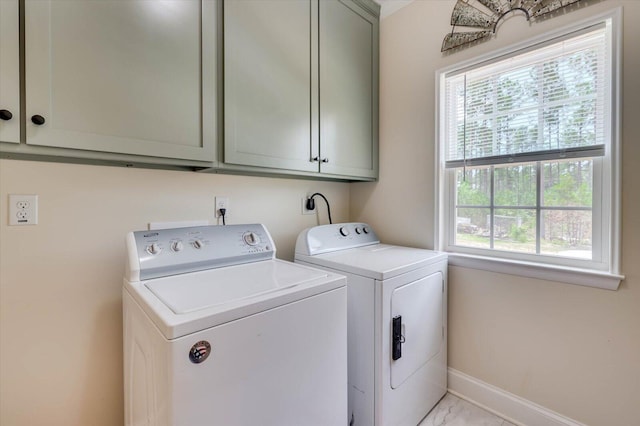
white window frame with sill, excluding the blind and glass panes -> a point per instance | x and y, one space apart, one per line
603 270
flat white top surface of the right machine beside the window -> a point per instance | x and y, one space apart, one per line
378 261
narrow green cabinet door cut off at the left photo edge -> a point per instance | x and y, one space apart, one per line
9 72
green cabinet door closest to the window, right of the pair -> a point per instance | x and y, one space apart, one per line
348 89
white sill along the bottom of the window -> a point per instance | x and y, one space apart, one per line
584 277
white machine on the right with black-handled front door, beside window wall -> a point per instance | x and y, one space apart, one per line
397 321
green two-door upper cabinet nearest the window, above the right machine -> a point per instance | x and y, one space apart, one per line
301 84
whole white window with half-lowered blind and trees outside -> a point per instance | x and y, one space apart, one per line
528 157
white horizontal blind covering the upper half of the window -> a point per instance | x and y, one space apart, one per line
541 104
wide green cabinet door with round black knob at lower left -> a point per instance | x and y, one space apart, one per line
122 76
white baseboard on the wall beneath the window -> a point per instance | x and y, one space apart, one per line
510 407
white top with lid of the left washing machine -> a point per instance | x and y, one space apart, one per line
187 303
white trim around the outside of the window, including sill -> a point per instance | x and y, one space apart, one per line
607 278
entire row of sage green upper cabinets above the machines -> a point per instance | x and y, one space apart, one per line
137 82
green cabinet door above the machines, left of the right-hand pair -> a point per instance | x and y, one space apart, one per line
270 58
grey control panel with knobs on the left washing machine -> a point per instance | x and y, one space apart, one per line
163 252
